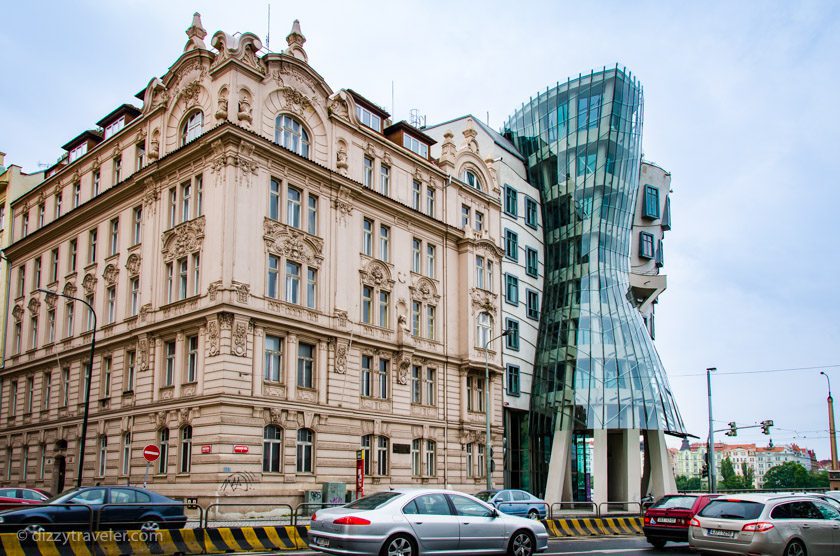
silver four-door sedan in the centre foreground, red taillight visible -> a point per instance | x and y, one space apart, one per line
423 521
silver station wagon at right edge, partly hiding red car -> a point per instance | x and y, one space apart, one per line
776 525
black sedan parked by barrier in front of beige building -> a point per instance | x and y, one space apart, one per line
100 507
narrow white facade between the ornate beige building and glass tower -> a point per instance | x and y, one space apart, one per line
520 286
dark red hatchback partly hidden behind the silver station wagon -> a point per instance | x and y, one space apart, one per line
668 519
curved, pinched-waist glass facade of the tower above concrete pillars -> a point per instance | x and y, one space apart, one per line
596 366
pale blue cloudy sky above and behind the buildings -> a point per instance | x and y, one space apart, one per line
739 106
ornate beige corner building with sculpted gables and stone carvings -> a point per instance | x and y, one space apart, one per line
280 277
